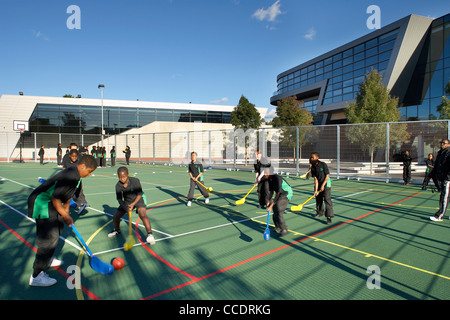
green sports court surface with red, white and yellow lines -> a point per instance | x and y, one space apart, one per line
381 244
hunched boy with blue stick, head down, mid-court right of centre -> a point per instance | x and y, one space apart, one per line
283 193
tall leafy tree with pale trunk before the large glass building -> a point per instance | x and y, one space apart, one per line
374 105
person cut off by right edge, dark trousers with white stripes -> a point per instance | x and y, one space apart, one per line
441 171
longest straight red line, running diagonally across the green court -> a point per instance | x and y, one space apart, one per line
271 251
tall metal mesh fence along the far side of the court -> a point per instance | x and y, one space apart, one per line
369 151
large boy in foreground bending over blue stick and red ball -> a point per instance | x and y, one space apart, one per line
49 205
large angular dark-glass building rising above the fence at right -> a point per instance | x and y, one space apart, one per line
412 54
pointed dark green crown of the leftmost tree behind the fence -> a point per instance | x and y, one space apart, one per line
245 116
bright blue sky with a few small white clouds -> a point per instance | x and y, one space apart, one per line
199 51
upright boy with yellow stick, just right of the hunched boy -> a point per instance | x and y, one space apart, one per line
322 187
